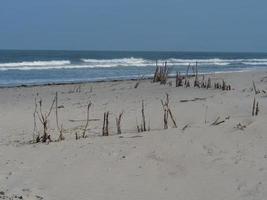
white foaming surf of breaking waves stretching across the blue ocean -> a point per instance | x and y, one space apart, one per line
127 62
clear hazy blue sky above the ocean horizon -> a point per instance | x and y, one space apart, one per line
157 25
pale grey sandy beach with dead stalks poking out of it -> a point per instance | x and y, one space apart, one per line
195 161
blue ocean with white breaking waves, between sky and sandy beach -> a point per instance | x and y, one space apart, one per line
18 67
